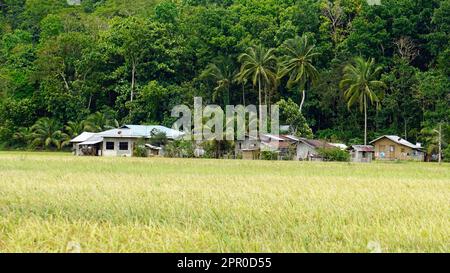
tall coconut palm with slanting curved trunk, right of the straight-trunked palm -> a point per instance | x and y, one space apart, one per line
298 64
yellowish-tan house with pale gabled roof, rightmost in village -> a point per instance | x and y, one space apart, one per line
391 147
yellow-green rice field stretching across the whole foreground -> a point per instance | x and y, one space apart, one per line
51 200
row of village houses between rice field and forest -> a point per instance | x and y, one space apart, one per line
123 140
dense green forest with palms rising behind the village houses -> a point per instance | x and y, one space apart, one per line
68 68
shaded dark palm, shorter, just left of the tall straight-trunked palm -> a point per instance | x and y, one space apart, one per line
222 72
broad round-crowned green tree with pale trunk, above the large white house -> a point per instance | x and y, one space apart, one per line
146 47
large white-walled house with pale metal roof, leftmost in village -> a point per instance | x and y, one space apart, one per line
119 141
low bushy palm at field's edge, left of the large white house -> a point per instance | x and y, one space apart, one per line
46 132
